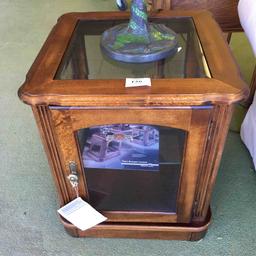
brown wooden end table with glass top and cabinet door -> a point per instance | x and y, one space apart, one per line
146 157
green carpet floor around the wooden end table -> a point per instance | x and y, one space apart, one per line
28 220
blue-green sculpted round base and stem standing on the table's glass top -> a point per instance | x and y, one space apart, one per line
139 41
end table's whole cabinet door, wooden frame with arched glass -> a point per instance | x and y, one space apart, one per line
133 165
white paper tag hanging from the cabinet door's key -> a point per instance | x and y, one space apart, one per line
81 214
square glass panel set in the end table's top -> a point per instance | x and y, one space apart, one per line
84 59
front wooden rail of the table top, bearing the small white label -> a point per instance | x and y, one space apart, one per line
113 93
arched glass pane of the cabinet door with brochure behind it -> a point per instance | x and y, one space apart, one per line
132 167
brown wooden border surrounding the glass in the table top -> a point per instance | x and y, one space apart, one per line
40 88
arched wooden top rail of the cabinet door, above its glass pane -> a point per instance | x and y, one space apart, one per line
177 118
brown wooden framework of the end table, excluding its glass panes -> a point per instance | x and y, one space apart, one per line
63 106
